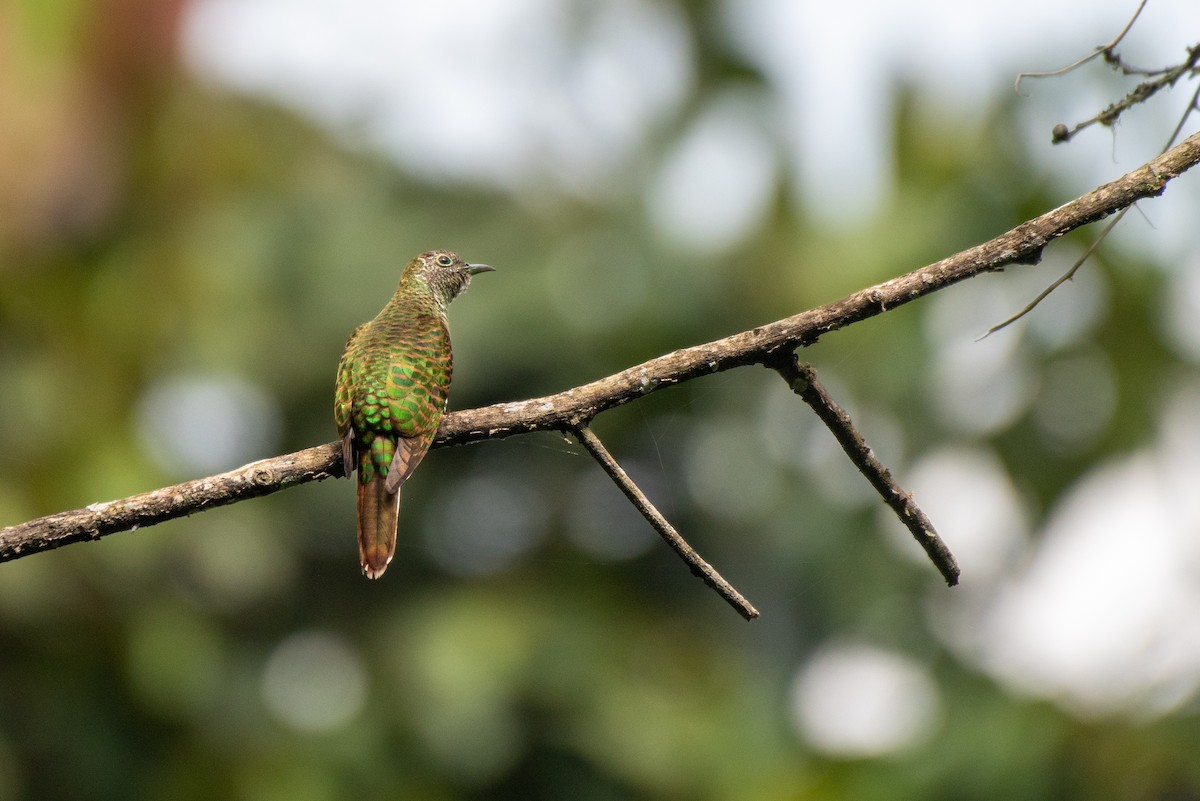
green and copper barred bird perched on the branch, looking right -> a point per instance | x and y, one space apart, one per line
393 383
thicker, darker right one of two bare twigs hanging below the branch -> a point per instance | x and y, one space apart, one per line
803 381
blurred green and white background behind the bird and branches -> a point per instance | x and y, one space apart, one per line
200 200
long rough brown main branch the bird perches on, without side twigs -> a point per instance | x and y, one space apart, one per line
574 408
